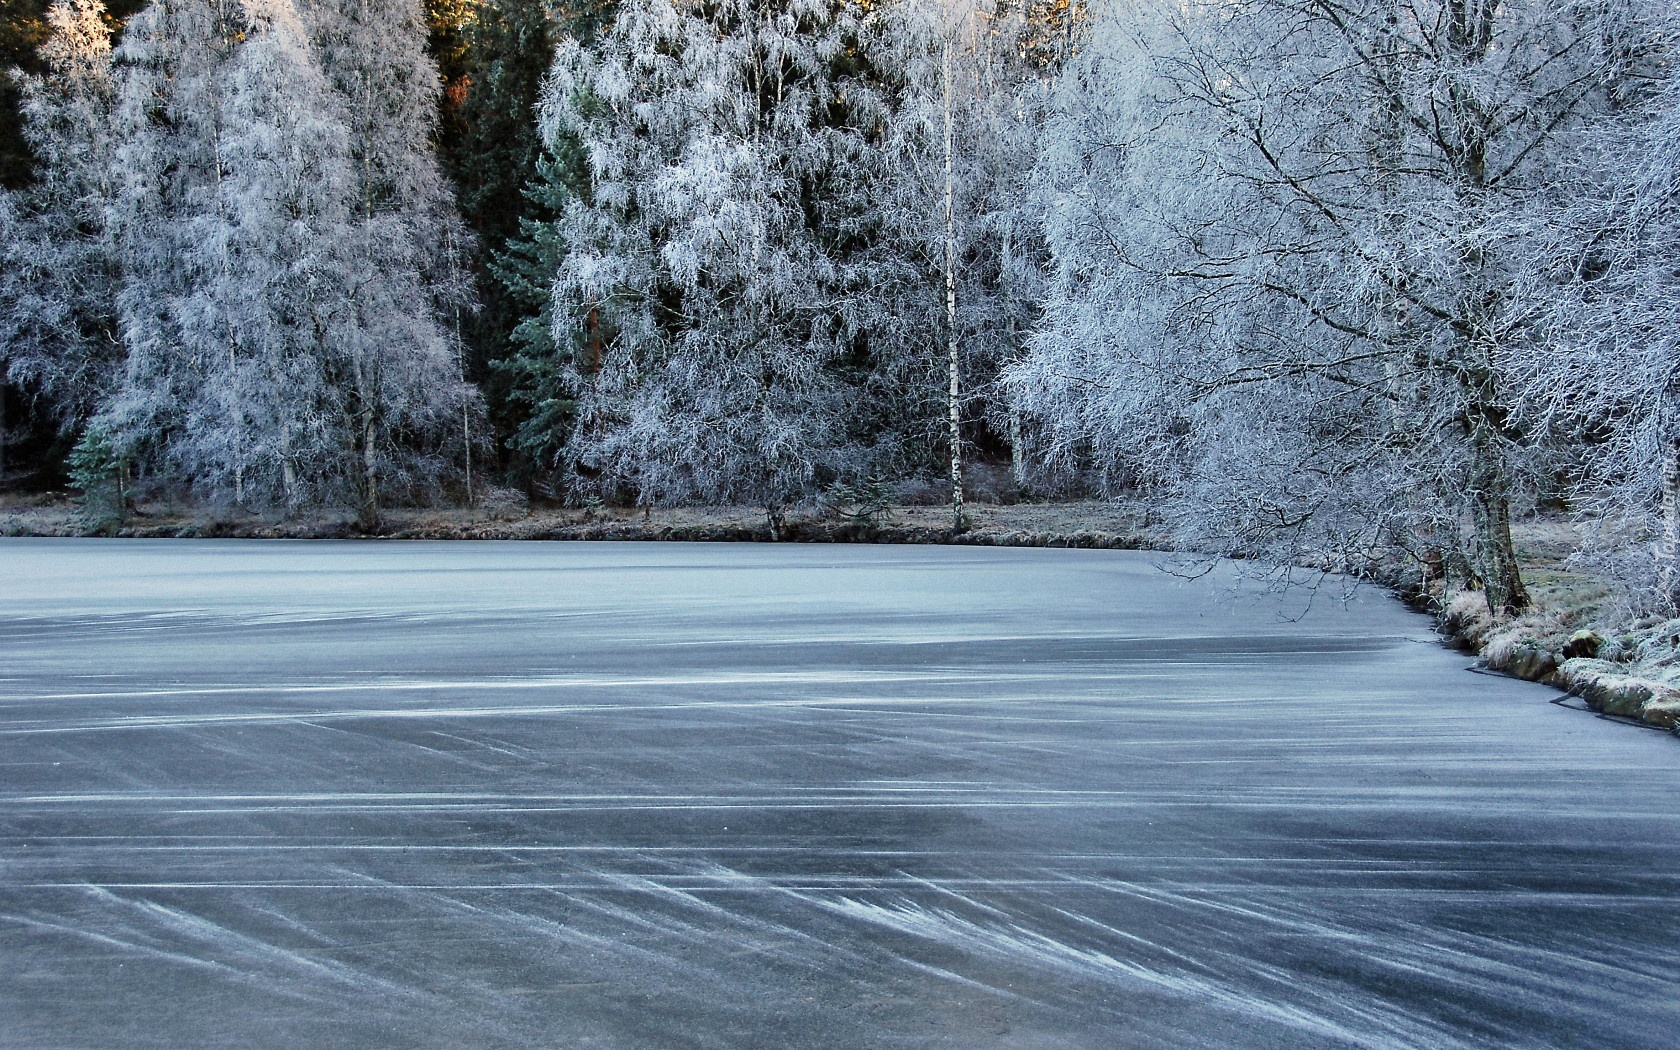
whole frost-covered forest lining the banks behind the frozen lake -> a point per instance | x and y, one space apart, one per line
1335 283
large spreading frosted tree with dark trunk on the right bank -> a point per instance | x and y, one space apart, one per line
1293 243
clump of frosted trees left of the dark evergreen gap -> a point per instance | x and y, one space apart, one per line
241 258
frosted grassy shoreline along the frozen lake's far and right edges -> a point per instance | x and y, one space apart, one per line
1543 646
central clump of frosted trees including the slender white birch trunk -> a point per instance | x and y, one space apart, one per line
770 186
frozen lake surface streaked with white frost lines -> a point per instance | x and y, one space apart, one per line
829 797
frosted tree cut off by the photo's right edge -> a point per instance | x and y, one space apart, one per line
1609 375
